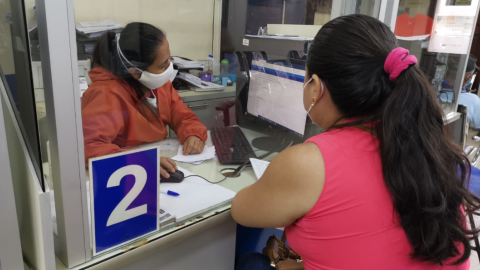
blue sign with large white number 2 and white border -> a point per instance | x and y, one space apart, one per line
124 191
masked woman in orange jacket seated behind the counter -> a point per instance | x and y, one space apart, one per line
131 99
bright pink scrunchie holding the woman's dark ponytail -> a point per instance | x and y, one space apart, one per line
397 61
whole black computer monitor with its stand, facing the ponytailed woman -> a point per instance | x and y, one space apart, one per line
273 102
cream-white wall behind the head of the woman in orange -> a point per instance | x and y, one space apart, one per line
188 23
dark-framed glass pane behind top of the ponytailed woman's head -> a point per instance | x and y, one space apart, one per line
273 28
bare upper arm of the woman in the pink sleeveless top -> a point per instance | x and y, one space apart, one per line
287 191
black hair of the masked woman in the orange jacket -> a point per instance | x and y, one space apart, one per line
139 43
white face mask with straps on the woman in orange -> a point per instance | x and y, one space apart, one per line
150 80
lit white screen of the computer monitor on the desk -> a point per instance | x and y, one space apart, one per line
276 94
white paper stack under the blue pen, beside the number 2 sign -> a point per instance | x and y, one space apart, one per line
196 196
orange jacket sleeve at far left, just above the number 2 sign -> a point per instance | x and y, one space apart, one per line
103 120
